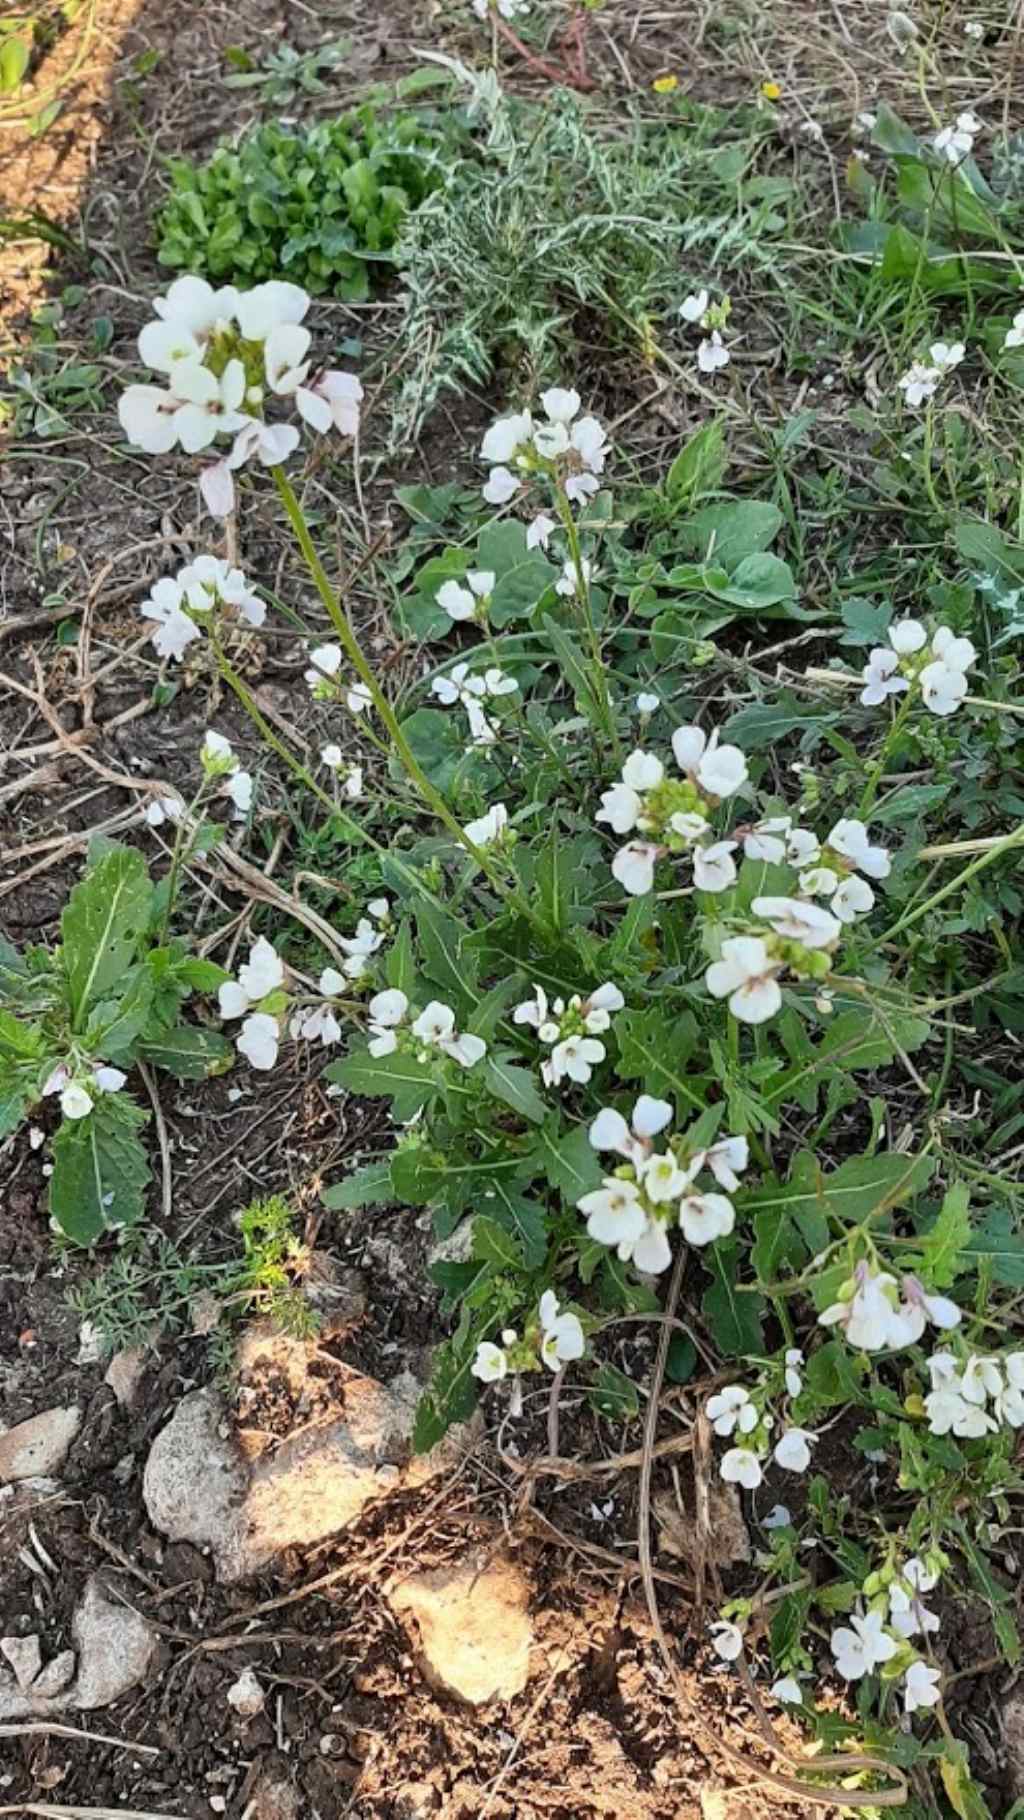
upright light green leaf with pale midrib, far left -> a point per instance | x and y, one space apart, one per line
103 925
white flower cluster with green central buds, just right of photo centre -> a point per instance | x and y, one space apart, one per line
676 811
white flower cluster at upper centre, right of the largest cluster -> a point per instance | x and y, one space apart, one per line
568 447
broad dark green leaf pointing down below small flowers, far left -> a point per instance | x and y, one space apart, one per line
99 1171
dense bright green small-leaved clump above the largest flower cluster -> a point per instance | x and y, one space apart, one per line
316 207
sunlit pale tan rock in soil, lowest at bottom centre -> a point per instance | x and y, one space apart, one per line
474 1628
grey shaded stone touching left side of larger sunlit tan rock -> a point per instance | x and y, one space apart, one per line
194 1479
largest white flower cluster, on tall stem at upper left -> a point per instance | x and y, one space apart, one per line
223 352
